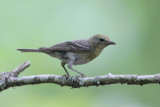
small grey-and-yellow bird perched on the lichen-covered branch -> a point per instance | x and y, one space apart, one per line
76 52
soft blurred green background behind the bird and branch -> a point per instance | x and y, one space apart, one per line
133 24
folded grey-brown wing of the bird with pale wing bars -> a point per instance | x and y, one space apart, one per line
72 46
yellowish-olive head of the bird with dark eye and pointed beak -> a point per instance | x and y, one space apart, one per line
100 41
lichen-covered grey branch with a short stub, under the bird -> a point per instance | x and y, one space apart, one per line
11 79
